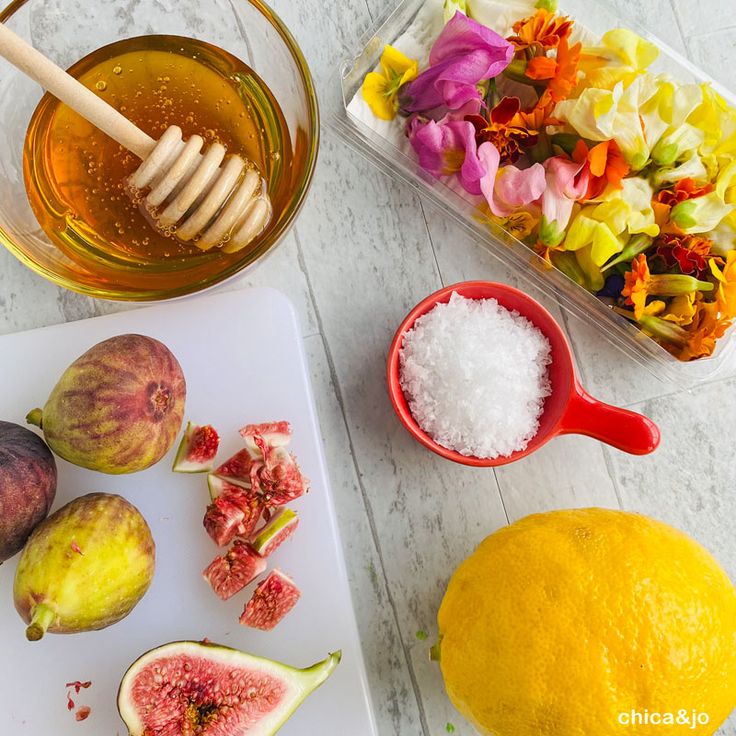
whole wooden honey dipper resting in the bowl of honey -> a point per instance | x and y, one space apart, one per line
210 198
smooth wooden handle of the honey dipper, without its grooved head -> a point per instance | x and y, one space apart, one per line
82 100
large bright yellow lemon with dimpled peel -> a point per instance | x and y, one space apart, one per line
590 623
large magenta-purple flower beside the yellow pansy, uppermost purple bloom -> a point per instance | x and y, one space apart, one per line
464 54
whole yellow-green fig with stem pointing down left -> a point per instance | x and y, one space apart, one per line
85 567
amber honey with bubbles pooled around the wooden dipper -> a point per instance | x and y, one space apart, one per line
76 176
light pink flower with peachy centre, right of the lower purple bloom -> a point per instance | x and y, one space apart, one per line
508 188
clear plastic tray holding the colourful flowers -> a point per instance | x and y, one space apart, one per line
597 18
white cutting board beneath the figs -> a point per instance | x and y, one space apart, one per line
244 362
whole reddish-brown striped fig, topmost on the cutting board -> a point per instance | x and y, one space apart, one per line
118 408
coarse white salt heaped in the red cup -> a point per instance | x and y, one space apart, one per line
476 375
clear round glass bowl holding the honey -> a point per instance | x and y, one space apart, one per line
68 30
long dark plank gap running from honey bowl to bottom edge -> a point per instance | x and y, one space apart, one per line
363 492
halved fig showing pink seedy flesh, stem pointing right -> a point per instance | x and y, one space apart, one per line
210 690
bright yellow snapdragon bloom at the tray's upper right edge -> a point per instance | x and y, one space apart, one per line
621 57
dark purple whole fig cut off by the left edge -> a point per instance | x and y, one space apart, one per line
27 486
